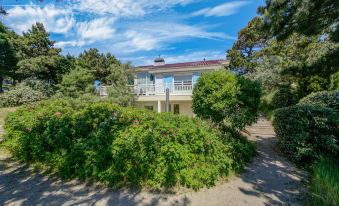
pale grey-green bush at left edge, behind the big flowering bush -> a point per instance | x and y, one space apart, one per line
20 95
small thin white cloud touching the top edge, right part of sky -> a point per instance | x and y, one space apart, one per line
225 9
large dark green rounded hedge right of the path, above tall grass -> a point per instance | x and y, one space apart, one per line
307 132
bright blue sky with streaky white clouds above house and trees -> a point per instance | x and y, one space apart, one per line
138 30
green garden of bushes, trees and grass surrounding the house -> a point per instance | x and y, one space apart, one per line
289 72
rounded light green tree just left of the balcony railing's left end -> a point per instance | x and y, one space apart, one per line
77 83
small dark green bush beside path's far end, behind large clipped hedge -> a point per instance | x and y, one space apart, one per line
283 97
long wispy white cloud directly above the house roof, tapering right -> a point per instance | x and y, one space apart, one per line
157 35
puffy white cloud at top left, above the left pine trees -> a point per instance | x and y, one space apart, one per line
56 20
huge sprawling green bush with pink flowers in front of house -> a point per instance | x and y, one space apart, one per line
122 146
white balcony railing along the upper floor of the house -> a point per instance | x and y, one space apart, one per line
154 89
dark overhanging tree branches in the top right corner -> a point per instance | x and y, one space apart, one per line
306 17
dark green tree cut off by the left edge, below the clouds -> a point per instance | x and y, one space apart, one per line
8 58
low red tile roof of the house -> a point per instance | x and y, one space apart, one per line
186 64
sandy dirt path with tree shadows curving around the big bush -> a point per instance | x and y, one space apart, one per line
269 180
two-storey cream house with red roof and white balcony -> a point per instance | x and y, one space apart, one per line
151 82
